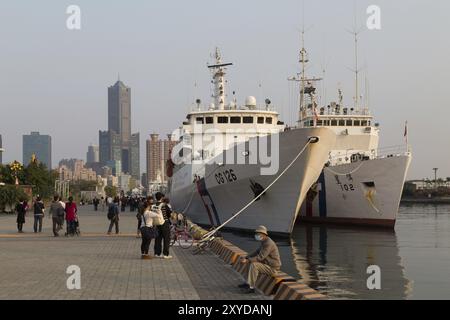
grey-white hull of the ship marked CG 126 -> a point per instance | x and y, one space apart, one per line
277 208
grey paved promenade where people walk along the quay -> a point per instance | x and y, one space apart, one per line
33 266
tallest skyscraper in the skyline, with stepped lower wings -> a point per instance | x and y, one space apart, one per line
118 144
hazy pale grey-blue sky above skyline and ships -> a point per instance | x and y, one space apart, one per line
54 80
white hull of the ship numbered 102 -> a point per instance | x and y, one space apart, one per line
369 196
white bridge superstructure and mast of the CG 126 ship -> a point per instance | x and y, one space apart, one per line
211 129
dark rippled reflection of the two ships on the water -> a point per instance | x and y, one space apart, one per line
334 260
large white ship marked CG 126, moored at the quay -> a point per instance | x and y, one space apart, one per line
218 171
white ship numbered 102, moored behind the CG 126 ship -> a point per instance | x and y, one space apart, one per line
360 185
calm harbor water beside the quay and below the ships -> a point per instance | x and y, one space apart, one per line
414 259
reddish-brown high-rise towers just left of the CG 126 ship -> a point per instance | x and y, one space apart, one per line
158 152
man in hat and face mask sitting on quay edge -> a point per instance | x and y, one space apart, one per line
265 260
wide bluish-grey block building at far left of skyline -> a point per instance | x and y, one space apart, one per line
40 146
